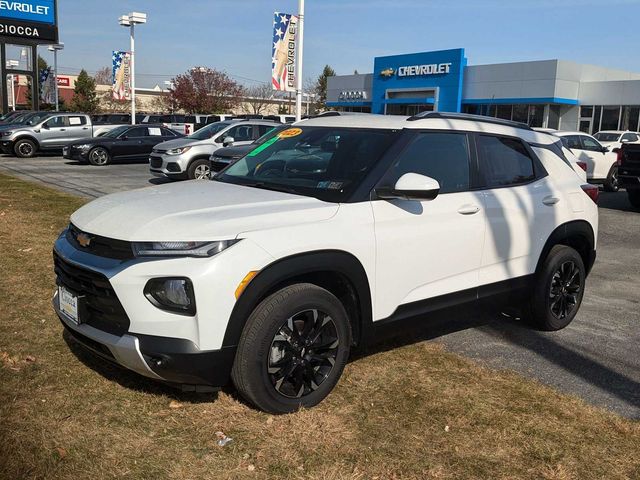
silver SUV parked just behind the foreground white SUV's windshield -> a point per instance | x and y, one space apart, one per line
188 158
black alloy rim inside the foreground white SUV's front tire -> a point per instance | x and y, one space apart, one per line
303 353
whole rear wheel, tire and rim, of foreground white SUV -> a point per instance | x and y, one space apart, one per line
558 289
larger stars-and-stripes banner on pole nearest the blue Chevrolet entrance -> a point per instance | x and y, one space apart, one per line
283 52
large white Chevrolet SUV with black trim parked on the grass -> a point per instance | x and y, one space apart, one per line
318 238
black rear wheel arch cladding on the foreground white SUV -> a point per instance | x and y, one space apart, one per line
577 234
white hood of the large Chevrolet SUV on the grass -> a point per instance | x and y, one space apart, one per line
197 210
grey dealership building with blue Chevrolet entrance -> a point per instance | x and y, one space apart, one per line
555 94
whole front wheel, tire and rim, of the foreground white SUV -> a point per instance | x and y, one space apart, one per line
286 359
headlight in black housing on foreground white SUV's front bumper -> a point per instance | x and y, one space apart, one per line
172 294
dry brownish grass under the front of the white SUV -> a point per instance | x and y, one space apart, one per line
412 412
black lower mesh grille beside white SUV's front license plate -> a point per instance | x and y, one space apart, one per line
98 304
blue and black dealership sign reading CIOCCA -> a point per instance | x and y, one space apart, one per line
34 20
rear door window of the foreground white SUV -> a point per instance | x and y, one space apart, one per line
504 161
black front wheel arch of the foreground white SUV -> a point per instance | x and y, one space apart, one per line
337 271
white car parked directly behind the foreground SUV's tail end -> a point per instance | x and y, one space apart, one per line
600 160
